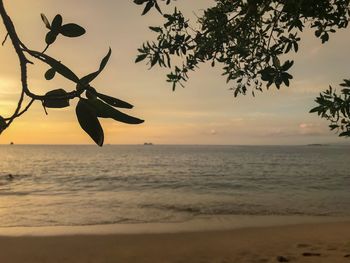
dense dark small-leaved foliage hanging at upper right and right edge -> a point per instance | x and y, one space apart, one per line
248 38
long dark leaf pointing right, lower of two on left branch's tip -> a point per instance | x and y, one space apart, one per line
103 110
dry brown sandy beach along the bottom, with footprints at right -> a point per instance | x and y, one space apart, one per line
315 242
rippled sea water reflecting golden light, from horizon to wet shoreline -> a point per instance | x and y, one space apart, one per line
87 185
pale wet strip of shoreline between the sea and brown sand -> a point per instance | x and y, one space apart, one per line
202 224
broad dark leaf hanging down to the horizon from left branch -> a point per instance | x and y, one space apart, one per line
88 121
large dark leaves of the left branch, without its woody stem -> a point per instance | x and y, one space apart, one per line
95 105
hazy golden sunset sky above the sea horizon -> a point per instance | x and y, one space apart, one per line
204 112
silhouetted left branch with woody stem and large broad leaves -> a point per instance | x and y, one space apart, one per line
91 106
